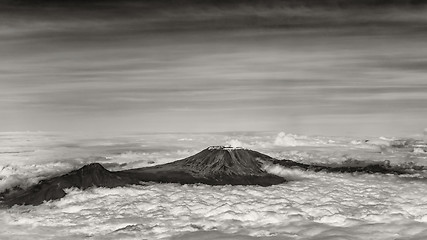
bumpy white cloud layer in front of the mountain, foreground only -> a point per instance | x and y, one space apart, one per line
318 207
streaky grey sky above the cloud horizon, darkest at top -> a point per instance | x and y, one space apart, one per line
336 68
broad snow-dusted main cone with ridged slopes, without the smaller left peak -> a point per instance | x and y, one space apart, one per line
216 165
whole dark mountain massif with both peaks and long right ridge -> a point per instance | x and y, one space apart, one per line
215 165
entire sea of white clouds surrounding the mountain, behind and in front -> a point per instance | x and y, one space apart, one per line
310 206
